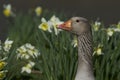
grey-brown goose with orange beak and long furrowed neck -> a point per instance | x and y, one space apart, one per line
82 29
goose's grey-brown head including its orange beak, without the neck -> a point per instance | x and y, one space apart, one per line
76 25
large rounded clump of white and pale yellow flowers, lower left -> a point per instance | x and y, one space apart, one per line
26 51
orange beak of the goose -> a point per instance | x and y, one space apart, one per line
65 26
